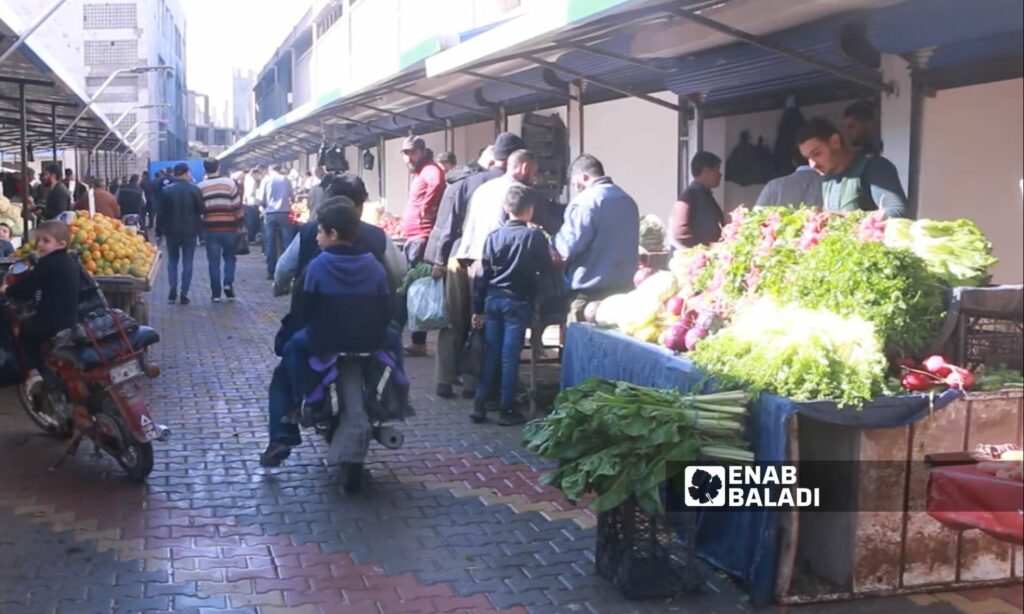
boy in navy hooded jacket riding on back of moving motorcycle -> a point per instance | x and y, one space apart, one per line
346 308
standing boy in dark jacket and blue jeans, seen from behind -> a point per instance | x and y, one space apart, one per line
504 295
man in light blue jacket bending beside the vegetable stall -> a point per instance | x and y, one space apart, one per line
601 240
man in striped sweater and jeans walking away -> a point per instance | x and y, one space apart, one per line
222 225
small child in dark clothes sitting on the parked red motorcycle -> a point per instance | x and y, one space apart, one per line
55 283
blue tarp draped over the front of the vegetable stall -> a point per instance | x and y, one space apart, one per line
743 543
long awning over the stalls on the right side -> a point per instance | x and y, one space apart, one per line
819 51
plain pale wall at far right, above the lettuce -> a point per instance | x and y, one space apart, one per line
971 166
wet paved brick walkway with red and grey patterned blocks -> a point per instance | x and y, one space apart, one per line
453 522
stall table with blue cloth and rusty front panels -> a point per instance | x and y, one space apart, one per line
886 544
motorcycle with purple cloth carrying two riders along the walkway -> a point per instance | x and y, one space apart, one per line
385 399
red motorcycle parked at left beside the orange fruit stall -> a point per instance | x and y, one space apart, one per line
91 386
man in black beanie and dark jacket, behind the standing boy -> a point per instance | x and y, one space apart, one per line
444 241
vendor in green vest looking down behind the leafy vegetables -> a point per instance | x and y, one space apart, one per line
854 182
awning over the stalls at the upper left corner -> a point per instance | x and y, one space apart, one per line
52 98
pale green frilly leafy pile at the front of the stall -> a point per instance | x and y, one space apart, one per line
799 354
